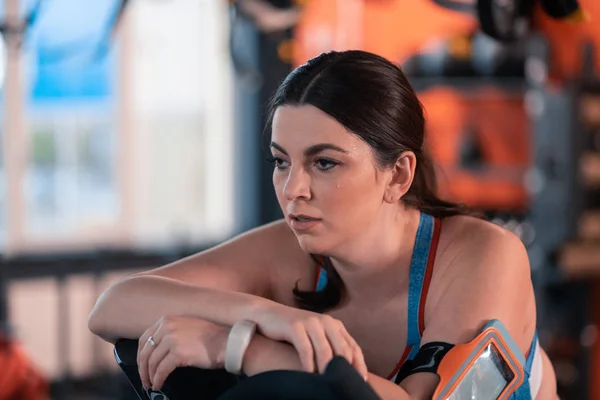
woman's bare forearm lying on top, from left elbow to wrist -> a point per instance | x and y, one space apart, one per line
129 307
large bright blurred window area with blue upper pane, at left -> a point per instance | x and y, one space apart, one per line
128 142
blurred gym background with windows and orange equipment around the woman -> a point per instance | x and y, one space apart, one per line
130 137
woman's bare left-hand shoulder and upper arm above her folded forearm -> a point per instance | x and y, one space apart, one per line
252 262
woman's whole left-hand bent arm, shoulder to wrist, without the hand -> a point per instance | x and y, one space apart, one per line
222 285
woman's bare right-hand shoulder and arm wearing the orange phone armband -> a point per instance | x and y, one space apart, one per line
488 278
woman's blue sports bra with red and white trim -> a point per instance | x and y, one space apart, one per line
421 270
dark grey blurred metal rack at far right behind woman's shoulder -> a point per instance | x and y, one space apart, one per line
561 189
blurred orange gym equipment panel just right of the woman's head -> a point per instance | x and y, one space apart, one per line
482 155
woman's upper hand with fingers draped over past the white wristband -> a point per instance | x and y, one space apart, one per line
316 337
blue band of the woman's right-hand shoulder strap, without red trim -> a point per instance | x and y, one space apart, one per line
418 267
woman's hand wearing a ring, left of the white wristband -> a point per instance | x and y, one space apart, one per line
180 342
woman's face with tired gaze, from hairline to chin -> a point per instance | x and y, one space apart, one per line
326 178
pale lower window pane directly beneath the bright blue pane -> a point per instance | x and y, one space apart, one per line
71 182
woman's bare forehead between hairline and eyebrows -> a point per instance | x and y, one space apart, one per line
307 125
